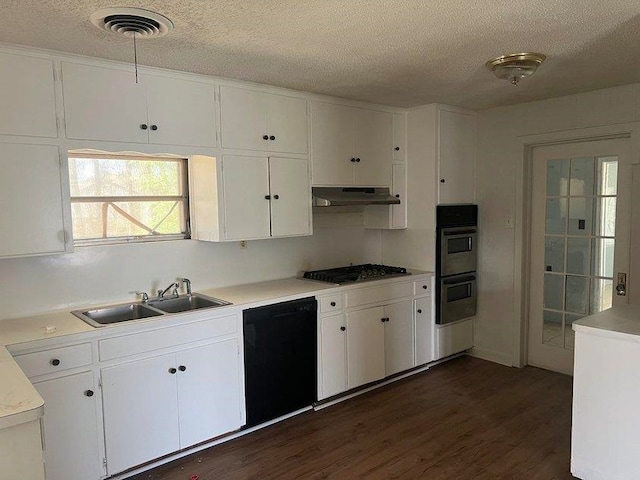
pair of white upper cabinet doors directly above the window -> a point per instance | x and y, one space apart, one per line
107 104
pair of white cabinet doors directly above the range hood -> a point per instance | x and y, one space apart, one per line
350 146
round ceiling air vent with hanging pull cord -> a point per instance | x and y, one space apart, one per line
132 22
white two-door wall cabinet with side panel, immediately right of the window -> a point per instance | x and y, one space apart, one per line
245 198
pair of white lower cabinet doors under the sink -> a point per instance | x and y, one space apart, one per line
162 404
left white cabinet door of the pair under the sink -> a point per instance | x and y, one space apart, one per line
140 412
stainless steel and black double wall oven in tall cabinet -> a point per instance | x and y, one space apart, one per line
456 262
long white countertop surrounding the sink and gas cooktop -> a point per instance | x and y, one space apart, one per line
20 401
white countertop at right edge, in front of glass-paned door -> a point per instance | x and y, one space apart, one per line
622 322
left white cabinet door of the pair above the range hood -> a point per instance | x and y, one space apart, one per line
332 130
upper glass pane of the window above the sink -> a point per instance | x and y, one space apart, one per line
106 177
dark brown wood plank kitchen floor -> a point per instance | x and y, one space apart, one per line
464 419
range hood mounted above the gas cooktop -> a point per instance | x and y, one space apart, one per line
345 196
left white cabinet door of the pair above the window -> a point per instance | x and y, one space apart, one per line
103 104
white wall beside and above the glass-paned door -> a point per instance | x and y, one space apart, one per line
502 136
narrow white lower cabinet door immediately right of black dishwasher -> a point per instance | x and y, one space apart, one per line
333 347
